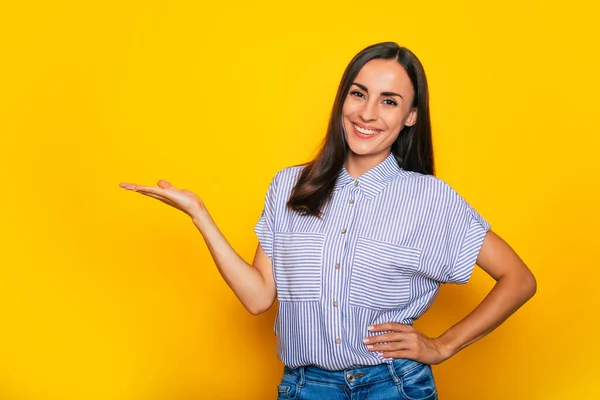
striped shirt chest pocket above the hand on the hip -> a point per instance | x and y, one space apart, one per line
381 274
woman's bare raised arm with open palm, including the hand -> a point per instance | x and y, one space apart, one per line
253 284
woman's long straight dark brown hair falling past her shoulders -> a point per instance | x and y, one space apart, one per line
413 149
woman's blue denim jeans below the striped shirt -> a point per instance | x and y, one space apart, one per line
403 380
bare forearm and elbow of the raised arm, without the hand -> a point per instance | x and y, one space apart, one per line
252 284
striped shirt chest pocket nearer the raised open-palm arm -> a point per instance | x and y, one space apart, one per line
297 264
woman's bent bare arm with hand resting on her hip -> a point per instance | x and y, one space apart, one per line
515 284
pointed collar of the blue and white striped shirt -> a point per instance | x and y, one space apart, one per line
372 181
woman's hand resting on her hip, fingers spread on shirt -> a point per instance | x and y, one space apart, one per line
405 341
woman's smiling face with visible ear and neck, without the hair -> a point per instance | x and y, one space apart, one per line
376 108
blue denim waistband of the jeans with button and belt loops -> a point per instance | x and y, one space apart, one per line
360 375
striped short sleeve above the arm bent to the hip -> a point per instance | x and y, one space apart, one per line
465 230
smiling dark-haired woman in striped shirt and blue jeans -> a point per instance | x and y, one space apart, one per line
356 243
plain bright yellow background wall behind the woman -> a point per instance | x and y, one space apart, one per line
107 294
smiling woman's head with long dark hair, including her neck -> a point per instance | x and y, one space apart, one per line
382 107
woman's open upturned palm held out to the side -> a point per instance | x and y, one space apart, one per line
181 199
